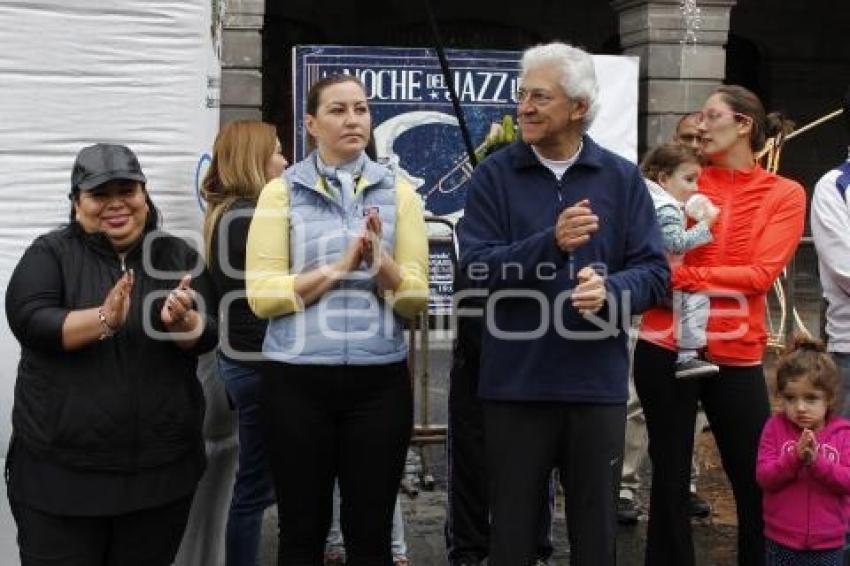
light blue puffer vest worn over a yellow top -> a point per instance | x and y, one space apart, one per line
350 324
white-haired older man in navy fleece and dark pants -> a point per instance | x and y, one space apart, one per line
563 234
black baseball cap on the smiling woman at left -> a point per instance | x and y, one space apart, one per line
104 162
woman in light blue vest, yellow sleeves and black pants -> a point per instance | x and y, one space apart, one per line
336 260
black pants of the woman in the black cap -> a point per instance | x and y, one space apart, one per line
149 537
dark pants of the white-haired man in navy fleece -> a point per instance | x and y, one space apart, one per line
525 441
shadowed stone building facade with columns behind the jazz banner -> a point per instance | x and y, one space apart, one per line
803 73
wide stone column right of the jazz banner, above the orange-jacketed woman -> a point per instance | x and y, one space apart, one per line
675 77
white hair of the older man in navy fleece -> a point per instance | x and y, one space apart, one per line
578 75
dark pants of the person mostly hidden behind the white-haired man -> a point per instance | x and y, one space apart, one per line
468 514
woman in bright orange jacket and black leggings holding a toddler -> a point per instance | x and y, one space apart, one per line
760 224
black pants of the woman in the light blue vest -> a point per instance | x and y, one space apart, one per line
324 422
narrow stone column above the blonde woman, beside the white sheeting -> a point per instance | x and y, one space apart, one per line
242 58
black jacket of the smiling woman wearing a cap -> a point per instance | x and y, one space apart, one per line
125 403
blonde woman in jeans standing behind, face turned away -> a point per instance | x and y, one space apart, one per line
246 156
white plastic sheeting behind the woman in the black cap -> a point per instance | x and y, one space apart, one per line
144 74
